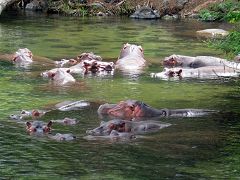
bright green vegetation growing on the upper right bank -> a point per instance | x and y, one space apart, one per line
226 11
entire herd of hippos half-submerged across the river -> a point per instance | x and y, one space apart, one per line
128 118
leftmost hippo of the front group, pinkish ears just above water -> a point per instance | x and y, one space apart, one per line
24 114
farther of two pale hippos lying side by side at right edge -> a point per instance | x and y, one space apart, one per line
198 61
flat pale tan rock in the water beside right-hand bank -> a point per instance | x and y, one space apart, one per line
212 33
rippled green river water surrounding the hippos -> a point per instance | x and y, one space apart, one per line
192 148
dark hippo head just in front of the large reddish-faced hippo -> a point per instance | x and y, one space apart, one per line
106 128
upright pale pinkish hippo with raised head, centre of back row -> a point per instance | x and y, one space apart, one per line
131 59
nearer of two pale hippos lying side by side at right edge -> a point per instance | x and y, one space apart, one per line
208 72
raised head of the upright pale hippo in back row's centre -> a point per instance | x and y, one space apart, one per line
131 49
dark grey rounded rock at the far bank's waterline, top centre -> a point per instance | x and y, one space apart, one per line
145 13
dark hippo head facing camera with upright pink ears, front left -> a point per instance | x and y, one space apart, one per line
38 127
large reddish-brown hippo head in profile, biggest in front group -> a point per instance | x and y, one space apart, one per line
128 109
